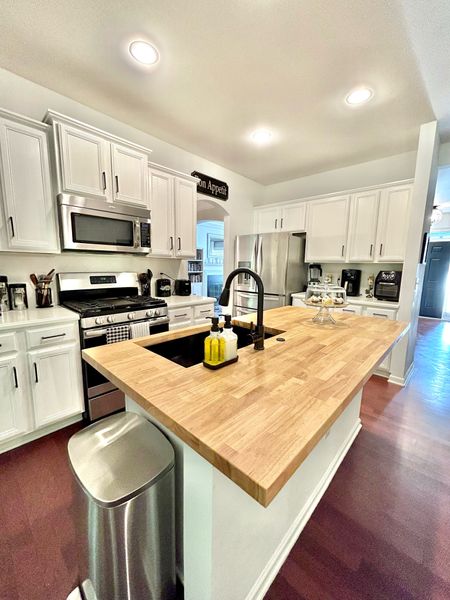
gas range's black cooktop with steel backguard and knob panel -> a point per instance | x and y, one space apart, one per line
108 299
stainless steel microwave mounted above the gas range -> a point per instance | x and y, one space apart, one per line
95 225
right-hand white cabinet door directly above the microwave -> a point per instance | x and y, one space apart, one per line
129 170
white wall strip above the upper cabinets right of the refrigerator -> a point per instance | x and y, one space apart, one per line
375 172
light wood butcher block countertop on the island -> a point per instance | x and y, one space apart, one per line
258 419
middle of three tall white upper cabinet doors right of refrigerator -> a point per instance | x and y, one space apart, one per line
363 226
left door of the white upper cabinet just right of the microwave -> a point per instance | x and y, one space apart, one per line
162 216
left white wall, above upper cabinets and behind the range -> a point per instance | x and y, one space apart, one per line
25 97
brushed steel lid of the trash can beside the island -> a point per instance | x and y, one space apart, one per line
118 457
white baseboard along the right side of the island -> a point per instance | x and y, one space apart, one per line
269 573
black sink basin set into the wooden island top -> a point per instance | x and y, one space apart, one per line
189 350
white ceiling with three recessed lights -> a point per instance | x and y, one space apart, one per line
228 67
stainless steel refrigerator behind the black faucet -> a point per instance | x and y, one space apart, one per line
278 258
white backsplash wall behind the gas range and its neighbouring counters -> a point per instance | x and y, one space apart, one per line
18 266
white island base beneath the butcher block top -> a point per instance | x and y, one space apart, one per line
229 547
